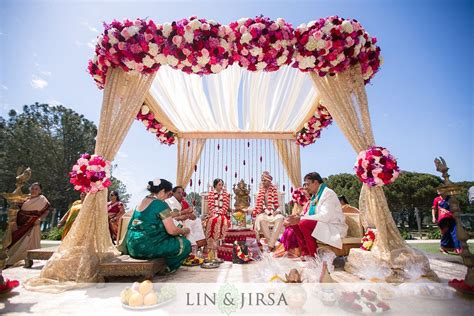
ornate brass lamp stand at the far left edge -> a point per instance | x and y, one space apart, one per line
14 199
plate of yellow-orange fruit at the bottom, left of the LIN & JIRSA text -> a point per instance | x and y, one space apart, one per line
143 296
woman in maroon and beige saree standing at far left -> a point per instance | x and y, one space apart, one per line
27 234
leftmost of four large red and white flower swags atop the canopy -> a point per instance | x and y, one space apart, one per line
130 45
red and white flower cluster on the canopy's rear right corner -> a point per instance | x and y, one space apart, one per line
312 129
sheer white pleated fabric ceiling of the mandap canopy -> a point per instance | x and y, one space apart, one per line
264 101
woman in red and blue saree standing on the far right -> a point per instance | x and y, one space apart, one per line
446 224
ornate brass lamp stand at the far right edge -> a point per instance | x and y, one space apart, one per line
451 189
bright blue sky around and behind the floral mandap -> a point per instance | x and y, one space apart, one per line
421 101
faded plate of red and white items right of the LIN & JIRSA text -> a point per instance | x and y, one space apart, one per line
362 302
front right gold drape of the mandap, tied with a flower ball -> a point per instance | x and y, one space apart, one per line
345 98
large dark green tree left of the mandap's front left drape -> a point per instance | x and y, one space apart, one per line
48 139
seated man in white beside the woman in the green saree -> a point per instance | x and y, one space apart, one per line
187 218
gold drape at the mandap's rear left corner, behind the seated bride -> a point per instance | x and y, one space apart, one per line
189 152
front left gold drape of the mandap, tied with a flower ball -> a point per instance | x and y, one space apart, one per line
88 242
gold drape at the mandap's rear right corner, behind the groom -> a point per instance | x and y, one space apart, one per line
289 153
